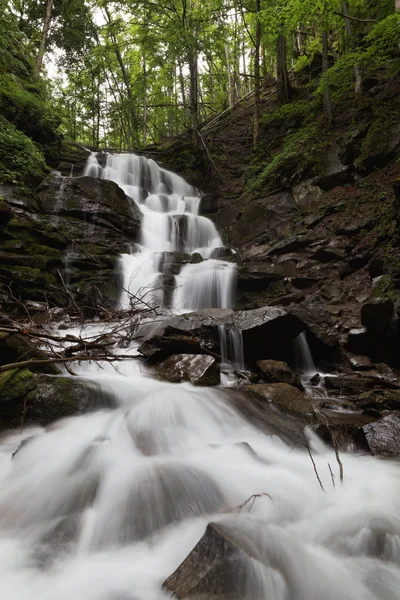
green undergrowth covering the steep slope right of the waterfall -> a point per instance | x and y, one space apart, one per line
295 136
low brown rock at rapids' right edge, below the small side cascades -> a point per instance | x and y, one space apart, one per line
285 397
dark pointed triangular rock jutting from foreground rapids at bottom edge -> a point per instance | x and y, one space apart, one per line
218 568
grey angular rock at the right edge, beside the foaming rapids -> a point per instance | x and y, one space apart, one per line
383 436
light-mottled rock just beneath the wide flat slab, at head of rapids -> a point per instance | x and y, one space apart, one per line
197 368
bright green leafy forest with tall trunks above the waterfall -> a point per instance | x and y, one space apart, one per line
126 74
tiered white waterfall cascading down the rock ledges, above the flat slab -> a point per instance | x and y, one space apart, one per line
171 223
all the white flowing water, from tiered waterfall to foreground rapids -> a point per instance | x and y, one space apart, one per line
113 504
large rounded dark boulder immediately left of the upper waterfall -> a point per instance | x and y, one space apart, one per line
98 201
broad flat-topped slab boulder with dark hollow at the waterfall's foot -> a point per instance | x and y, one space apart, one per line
267 332
